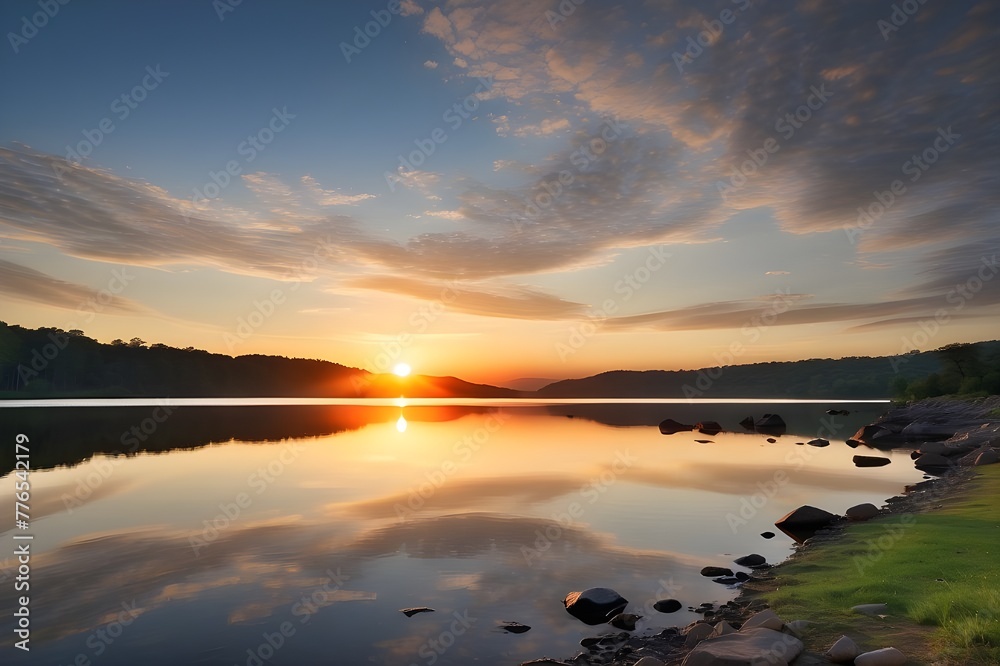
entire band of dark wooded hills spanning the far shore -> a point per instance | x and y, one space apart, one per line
51 363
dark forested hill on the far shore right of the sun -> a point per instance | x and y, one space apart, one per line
951 369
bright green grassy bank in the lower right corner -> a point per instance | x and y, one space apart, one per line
936 570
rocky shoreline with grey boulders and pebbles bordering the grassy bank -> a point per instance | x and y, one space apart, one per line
949 438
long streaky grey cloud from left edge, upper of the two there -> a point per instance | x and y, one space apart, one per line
93 214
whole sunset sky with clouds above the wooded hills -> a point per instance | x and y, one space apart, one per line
504 189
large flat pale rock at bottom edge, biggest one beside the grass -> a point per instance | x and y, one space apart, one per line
744 649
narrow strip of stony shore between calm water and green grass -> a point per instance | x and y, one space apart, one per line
976 428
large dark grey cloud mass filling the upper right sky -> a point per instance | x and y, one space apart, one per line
738 93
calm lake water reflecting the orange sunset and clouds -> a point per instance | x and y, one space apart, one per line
227 531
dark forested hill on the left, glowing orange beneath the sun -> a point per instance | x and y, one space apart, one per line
49 363
